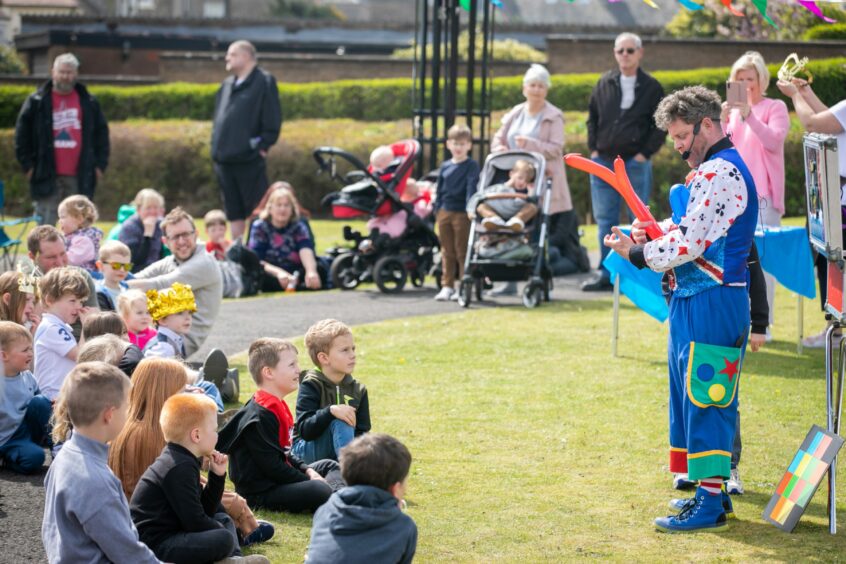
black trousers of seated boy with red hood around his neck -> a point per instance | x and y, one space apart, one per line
301 496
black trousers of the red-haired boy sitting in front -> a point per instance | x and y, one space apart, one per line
202 547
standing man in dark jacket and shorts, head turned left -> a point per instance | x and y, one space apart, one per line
247 120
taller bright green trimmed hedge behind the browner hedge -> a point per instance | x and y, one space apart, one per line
384 100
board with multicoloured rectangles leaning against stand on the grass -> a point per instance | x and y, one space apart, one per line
802 478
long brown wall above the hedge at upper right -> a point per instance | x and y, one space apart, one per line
574 53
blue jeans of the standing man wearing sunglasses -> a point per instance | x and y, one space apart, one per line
606 201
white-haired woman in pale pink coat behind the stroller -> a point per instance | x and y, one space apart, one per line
536 125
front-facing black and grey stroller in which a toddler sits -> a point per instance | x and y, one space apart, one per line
525 258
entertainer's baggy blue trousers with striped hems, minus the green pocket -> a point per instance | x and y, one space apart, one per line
702 436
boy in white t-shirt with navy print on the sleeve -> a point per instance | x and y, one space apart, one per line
63 291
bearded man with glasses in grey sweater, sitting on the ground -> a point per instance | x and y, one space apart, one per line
189 264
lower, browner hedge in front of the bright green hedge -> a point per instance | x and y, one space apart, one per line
173 156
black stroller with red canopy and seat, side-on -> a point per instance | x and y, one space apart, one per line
387 261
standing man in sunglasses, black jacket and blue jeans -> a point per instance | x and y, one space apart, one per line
620 123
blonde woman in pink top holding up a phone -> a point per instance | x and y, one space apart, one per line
758 126
